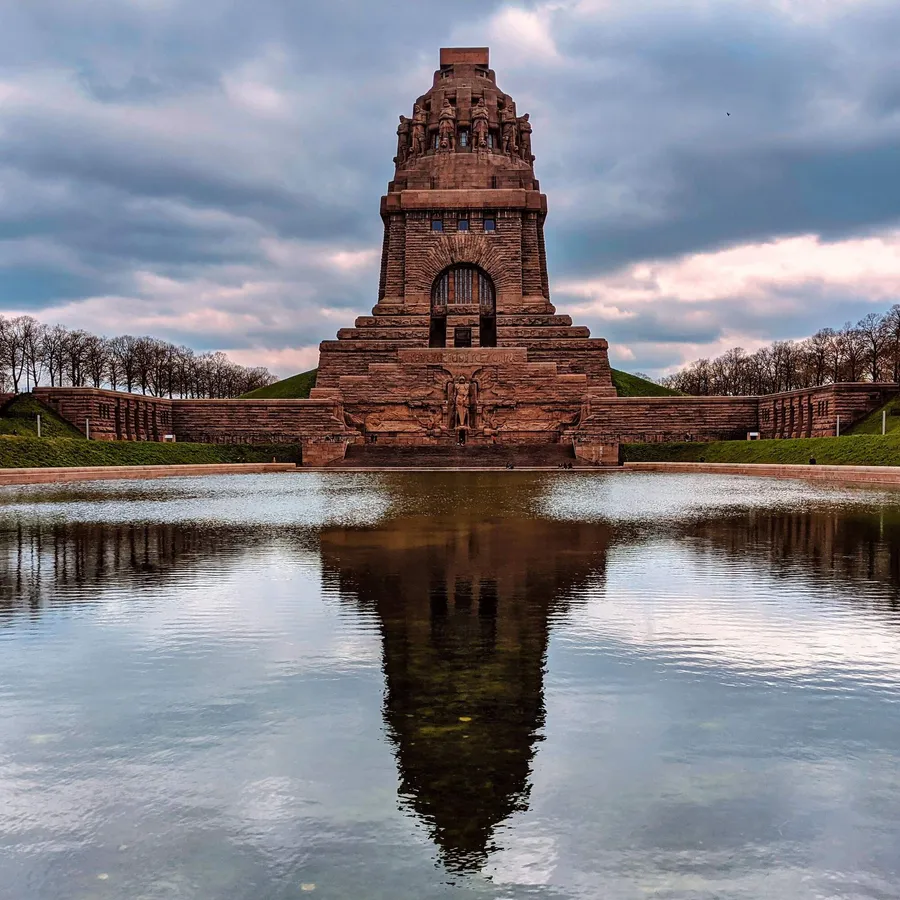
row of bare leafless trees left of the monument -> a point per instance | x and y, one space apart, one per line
32 354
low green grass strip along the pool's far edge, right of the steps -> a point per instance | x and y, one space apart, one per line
849 450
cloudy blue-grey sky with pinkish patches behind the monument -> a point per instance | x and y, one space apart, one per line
209 172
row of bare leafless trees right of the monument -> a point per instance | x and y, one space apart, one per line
867 351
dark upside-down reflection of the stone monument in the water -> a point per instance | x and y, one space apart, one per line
465 606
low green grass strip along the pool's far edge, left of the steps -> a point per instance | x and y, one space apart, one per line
26 452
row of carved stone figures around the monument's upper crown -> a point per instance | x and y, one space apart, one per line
515 131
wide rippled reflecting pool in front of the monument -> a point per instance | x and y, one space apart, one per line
498 685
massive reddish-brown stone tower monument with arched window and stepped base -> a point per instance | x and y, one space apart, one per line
464 345
